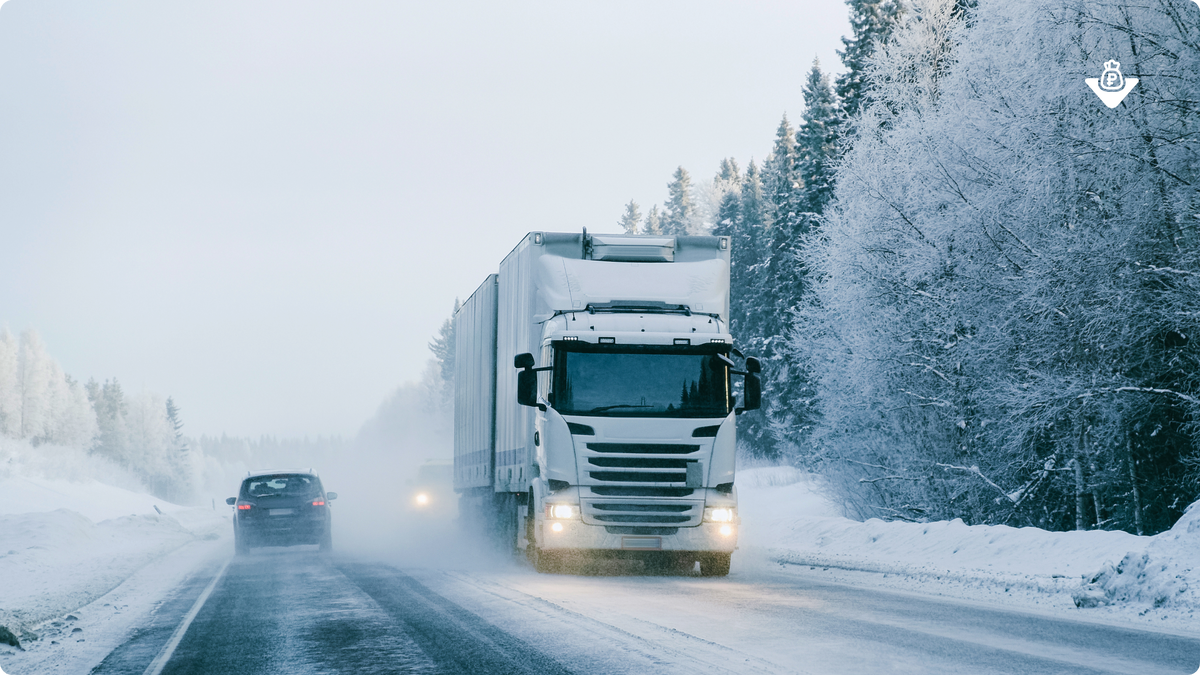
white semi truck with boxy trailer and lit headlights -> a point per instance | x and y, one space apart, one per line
596 397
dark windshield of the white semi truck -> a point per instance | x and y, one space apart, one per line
640 381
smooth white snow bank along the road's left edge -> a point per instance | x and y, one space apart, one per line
64 543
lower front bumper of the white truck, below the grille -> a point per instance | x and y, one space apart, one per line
577 535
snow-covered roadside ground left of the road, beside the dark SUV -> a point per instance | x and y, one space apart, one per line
79 548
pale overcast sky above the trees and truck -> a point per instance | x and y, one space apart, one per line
267 210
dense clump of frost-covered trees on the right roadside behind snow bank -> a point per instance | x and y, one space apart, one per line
1009 278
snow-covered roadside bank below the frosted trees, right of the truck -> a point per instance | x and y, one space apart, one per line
1113 576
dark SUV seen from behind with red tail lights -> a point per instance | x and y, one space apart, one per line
281 509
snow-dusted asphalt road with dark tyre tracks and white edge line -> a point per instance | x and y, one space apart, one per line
295 611
